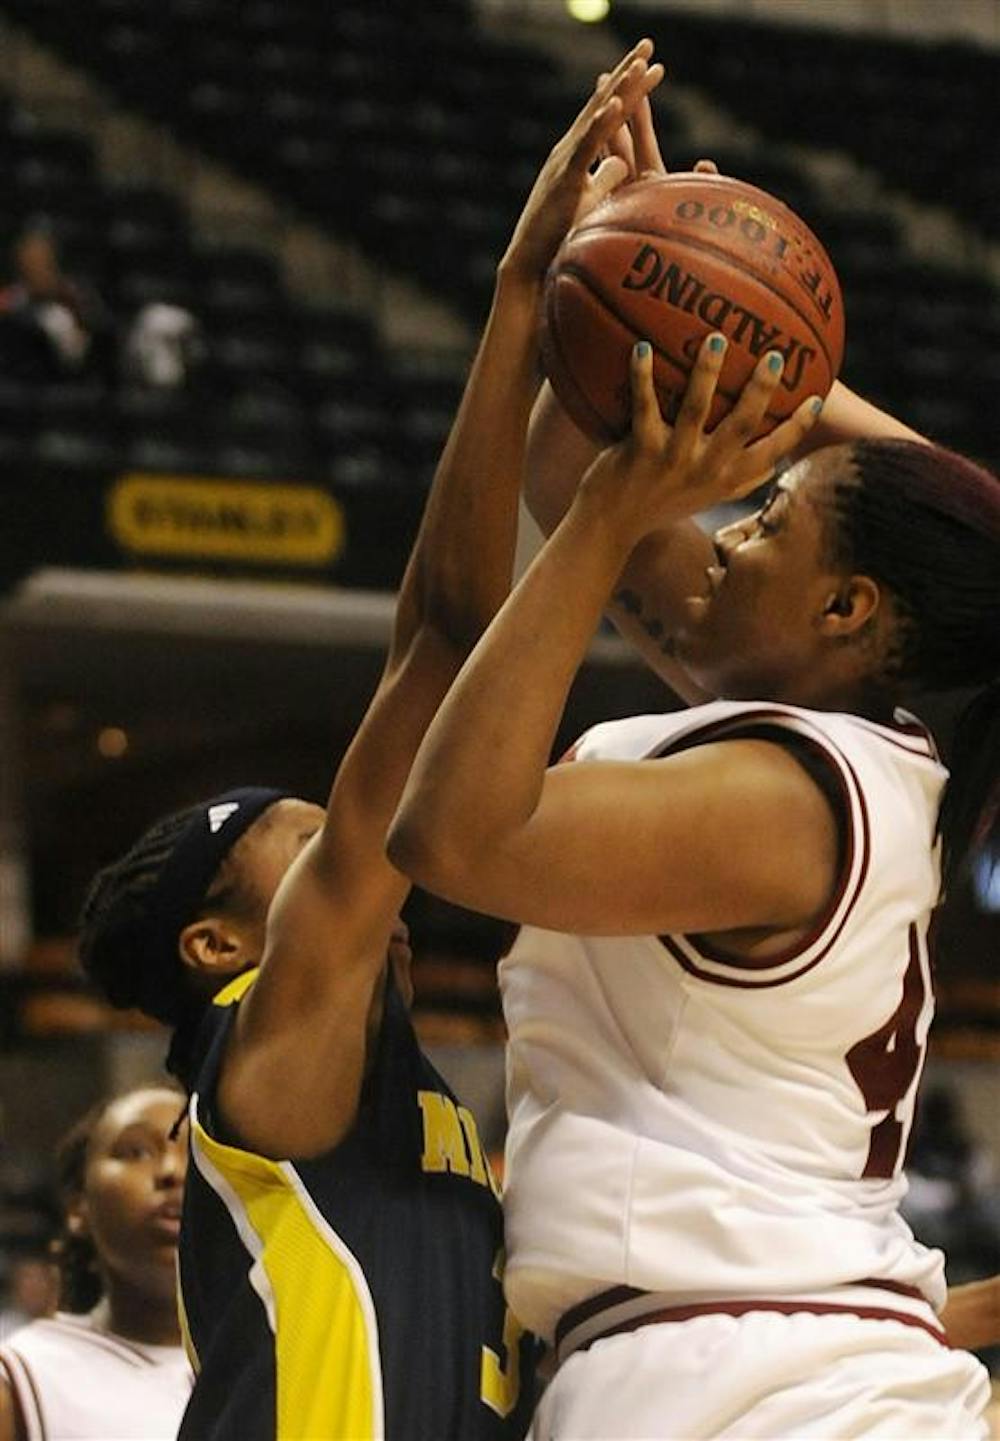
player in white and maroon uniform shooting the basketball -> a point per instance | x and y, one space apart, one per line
720 1015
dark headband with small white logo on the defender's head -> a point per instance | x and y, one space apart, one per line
198 854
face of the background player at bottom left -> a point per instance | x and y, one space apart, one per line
133 1187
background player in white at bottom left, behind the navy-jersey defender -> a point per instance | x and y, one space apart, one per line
109 1365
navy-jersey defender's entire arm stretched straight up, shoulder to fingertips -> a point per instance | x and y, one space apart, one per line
296 1064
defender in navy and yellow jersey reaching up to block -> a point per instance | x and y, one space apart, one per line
342 1247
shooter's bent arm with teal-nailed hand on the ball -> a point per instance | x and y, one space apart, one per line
615 848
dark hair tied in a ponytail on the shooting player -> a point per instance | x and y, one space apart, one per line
926 524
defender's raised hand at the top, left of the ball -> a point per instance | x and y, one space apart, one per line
566 189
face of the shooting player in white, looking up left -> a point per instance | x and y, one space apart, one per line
754 633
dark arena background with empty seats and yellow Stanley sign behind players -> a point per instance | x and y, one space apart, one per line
277 223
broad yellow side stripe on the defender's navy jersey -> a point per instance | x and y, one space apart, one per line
328 1368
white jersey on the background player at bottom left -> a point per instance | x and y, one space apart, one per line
77 1383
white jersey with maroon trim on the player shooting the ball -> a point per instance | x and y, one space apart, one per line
707 1128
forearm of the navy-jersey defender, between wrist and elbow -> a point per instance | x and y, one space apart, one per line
462 563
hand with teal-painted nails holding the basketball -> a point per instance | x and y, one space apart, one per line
662 475
